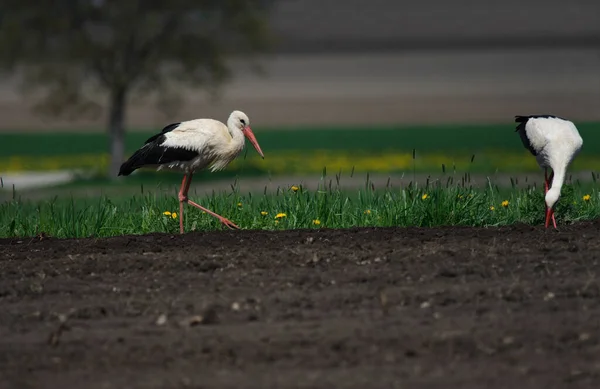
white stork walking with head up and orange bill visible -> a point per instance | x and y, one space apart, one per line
194 145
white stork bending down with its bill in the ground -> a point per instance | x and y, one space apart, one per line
554 142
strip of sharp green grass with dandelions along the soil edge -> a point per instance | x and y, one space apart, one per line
434 204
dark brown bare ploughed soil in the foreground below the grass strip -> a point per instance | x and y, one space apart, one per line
362 308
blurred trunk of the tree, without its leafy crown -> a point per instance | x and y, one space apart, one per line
116 130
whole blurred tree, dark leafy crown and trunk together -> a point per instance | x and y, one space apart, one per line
121 47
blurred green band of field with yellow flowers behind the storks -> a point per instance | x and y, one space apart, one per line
496 148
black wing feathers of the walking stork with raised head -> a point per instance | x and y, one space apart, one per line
154 153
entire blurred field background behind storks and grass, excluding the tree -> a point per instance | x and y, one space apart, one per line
361 90
